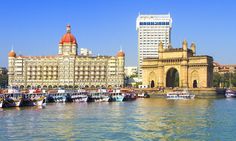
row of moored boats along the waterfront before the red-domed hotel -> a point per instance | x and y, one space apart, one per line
40 99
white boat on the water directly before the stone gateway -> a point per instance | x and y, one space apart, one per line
180 95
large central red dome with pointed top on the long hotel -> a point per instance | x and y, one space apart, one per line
68 37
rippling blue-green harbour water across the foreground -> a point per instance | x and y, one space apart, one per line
143 119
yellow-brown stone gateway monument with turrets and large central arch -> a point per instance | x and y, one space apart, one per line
178 67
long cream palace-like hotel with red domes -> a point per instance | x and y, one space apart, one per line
66 69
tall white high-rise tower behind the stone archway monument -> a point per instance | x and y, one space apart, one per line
152 29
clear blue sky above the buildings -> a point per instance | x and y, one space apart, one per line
35 27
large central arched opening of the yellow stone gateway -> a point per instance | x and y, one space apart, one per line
172 78
